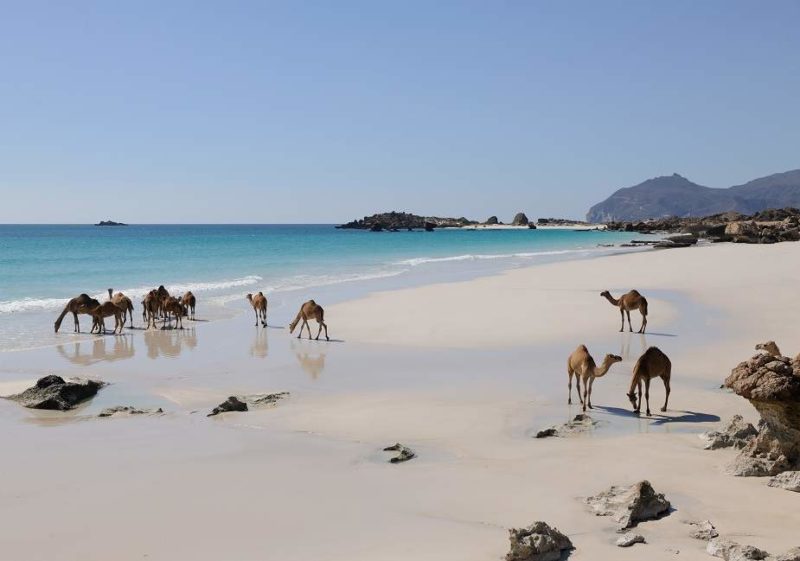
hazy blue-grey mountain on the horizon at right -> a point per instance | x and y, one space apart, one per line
677 196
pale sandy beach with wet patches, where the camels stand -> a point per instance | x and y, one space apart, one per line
464 373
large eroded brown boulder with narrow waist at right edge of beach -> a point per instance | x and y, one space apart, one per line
772 385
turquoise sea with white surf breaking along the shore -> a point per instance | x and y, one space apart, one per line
41 266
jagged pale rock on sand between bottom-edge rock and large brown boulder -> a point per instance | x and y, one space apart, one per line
630 505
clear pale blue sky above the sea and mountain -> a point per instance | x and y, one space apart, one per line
325 111
